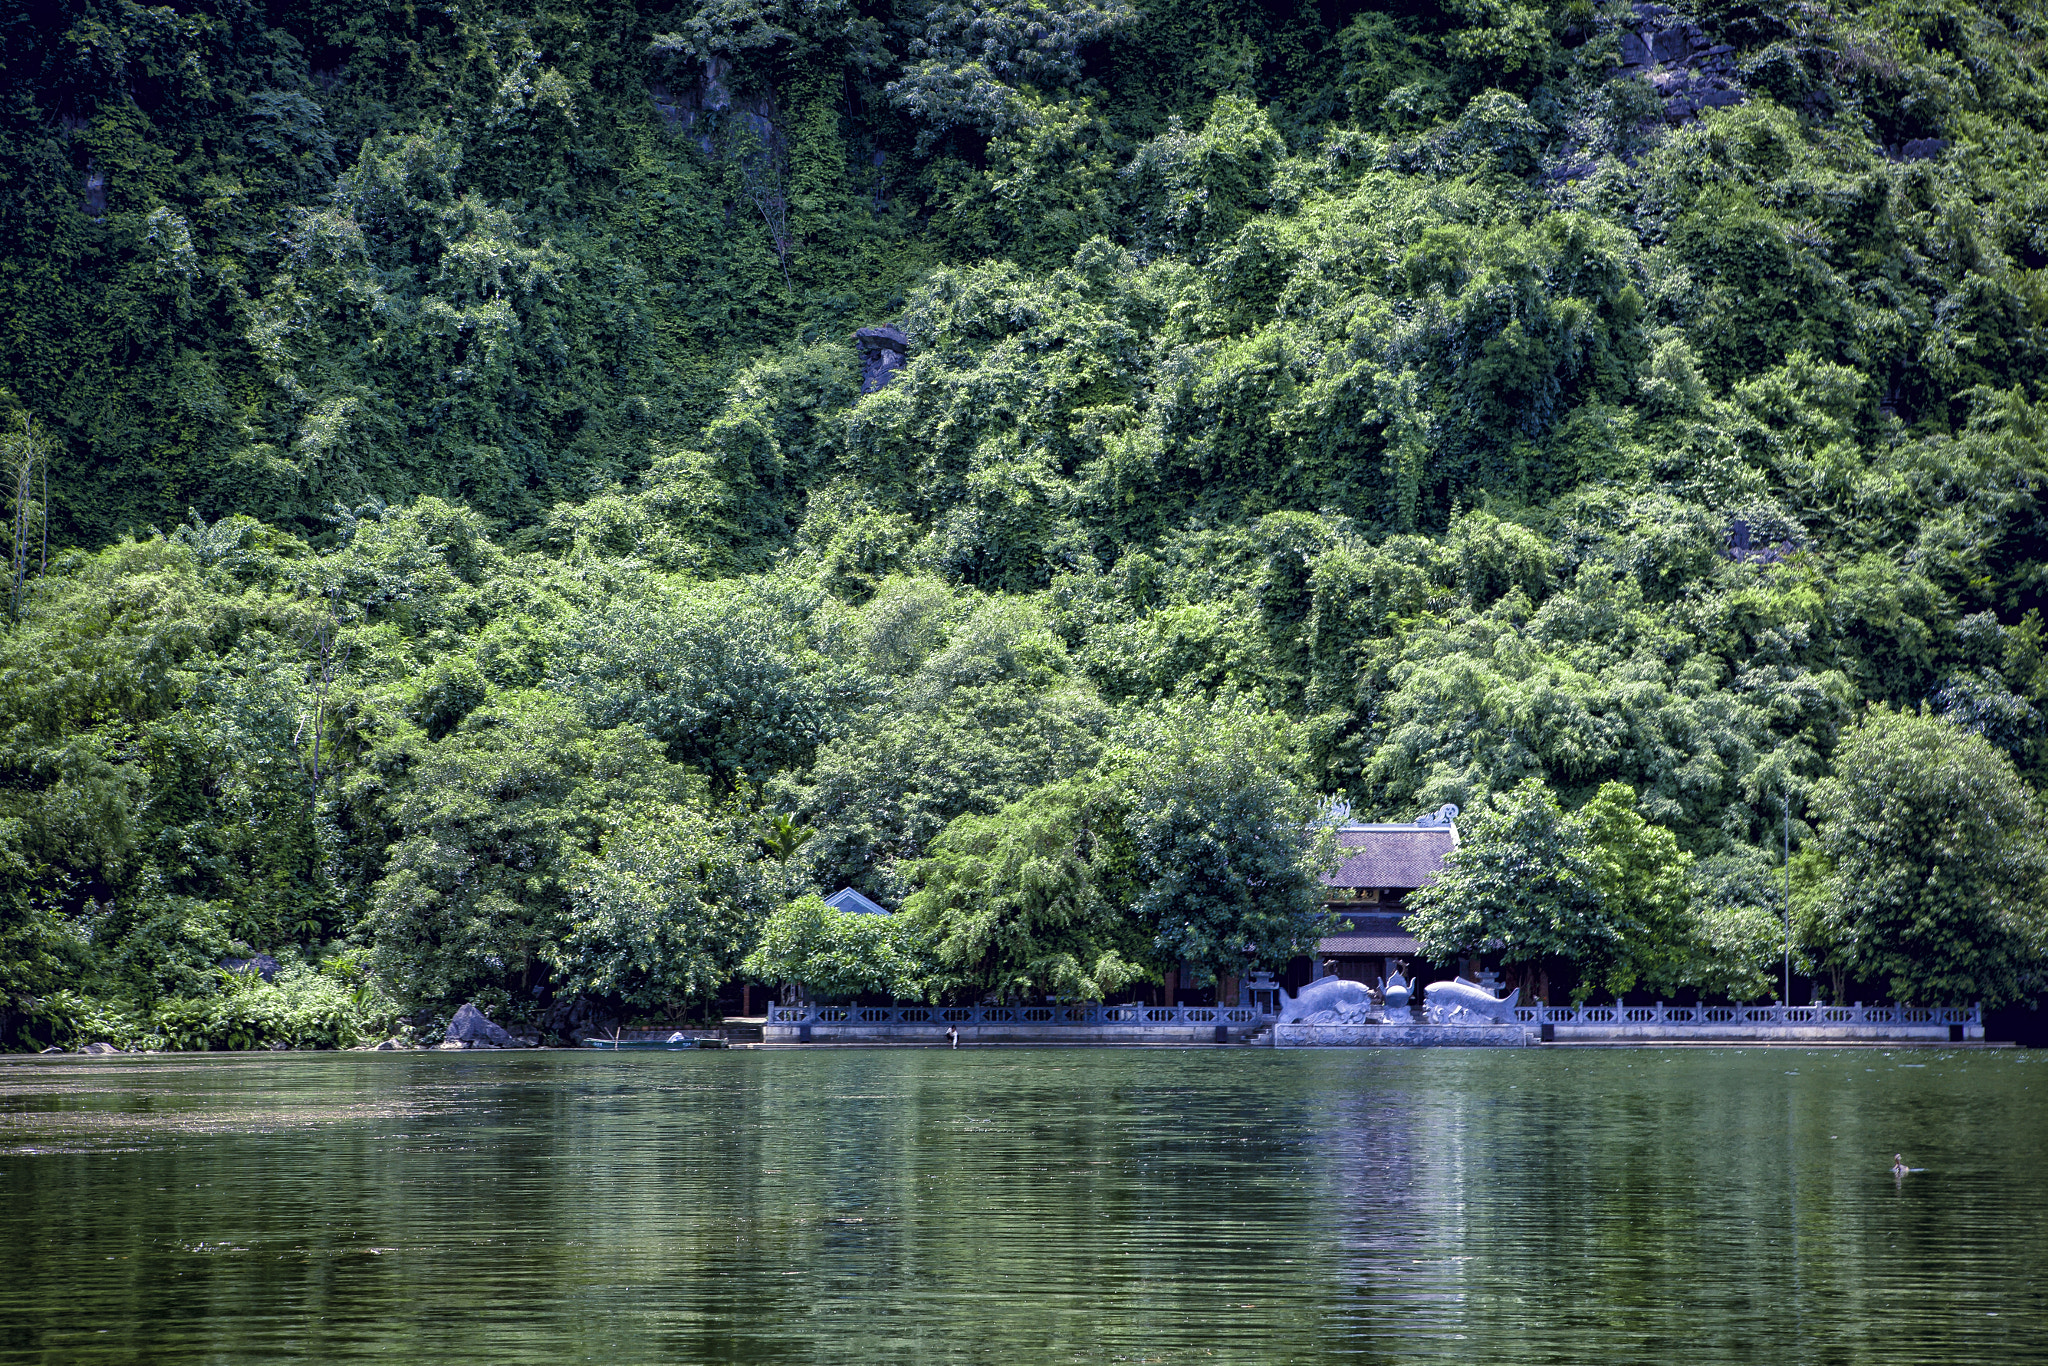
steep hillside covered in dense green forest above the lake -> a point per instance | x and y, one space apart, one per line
456 552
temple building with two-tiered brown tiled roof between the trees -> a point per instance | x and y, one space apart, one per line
1369 890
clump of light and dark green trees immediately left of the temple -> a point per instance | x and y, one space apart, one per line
1187 847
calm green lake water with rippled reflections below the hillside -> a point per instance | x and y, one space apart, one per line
1027 1205
